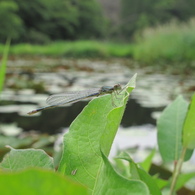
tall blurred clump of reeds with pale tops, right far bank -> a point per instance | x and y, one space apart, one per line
171 42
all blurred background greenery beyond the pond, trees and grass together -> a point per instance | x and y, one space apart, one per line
155 40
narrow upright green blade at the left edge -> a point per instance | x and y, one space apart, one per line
3 64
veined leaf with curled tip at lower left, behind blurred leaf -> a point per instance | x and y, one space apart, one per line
18 159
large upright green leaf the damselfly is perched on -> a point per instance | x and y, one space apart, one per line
96 125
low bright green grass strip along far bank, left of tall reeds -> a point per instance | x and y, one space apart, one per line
77 49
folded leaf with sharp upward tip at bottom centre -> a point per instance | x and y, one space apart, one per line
111 183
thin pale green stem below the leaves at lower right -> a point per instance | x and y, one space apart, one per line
177 171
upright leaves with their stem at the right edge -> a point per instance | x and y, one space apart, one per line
178 126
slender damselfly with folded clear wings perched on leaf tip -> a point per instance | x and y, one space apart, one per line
75 96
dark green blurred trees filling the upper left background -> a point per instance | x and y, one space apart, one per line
40 21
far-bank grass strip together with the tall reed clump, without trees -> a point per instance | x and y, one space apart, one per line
173 42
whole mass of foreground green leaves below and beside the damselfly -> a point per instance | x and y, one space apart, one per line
84 167
